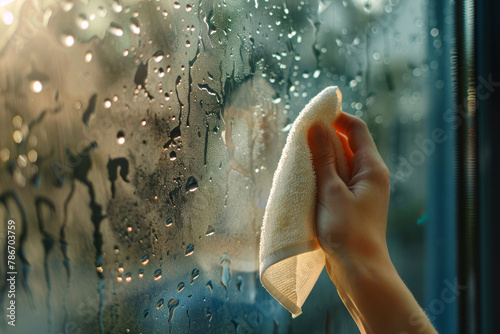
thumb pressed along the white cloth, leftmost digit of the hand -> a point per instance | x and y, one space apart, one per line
321 145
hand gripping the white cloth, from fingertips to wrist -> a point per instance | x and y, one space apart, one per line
350 216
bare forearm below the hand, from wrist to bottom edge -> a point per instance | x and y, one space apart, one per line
376 296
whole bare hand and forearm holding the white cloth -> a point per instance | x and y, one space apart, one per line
351 222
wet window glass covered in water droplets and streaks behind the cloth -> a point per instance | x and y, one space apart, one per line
139 138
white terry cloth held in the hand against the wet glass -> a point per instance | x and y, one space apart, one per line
291 259
